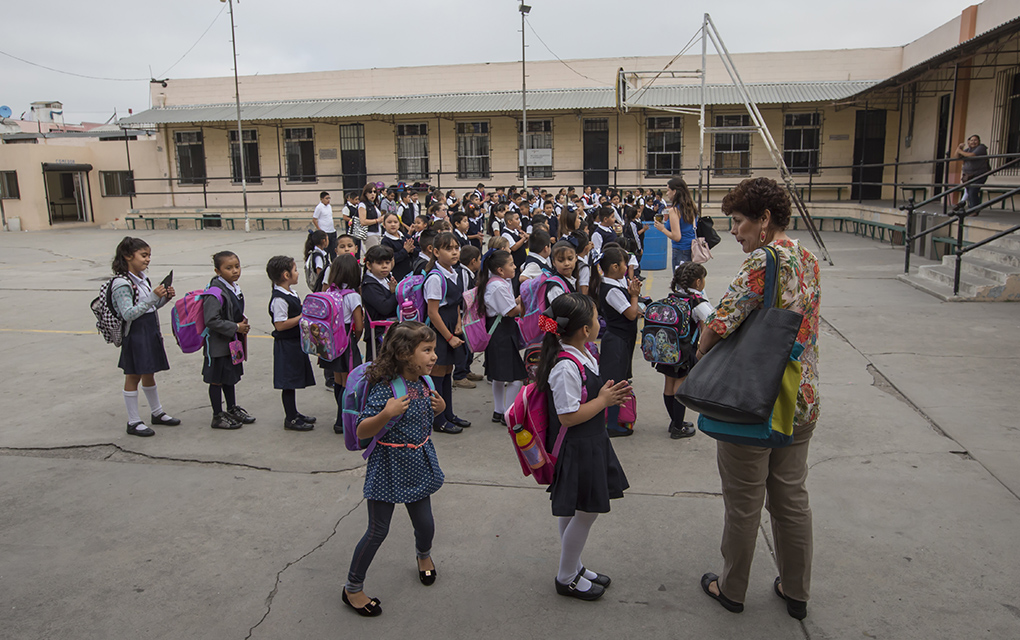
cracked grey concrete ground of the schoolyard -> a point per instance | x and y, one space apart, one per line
198 533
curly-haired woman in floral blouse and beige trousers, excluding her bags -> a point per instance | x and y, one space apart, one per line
760 212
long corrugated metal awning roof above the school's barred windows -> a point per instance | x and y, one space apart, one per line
495 102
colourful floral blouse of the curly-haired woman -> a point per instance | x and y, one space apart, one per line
800 291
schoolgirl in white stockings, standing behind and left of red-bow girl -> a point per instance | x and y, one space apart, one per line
504 367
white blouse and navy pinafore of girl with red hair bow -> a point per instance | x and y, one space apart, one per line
588 474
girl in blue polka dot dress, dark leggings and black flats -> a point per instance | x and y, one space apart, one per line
403 468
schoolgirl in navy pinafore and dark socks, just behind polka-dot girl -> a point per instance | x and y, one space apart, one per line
444 289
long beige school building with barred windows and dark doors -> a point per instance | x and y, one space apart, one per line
857 127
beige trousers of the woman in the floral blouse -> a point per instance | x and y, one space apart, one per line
776 478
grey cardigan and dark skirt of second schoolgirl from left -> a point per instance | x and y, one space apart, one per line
222 321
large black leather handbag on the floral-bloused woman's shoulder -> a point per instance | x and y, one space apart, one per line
740 379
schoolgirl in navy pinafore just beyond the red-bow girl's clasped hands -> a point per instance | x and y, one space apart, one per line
618 301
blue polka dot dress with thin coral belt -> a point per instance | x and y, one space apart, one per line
400 475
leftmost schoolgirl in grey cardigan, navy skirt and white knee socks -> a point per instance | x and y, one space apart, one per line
142 354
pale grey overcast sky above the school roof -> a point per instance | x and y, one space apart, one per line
122 39
